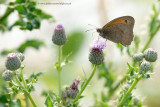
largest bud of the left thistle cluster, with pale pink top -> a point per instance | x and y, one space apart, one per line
13 62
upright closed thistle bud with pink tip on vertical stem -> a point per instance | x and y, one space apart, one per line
59 36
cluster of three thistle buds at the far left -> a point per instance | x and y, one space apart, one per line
13 62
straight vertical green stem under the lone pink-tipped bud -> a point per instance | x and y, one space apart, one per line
59 69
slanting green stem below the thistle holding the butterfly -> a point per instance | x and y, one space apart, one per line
79 94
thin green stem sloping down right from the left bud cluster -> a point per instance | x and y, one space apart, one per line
25 91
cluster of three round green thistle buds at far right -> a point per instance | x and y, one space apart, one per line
150 55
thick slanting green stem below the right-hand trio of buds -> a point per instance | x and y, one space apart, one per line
136 80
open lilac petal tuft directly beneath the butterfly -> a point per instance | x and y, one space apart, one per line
99 44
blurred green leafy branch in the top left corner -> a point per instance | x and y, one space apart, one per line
29 16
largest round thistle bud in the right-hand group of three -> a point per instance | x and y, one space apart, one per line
150 55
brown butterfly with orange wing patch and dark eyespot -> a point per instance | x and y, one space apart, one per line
119 30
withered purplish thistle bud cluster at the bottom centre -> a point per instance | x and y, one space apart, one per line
71 92
